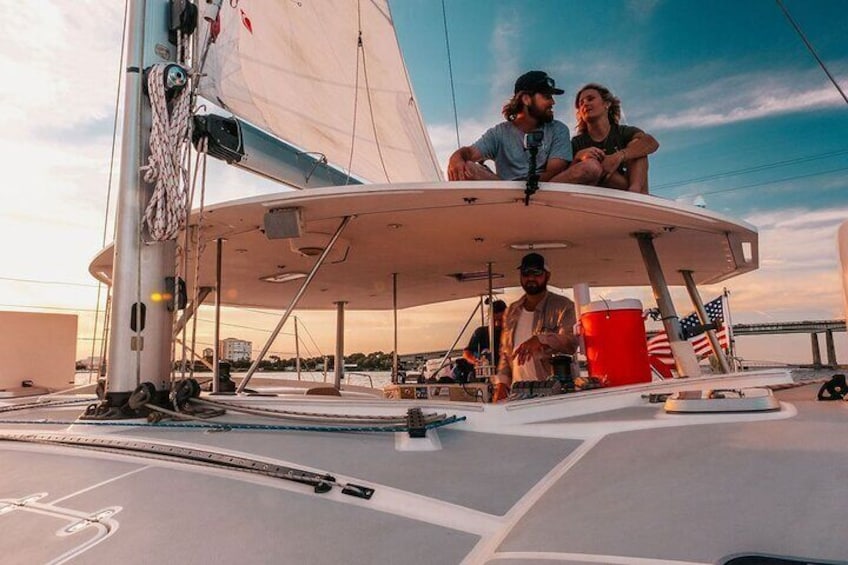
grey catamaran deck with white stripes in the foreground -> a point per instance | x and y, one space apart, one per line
542 480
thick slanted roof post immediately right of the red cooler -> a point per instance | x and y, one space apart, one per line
684 355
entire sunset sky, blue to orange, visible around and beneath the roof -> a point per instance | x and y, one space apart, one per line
744 115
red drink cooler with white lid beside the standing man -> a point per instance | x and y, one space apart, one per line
616 345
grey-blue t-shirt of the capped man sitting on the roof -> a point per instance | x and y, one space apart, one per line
504 144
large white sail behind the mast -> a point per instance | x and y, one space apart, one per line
318 89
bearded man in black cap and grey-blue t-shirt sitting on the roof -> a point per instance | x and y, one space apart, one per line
531 108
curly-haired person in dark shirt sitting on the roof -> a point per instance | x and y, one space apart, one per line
622 150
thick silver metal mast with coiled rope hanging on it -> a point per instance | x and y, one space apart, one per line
140 340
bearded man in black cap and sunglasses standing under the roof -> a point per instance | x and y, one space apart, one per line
537 325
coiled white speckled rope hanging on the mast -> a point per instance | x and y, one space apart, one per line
165 212
